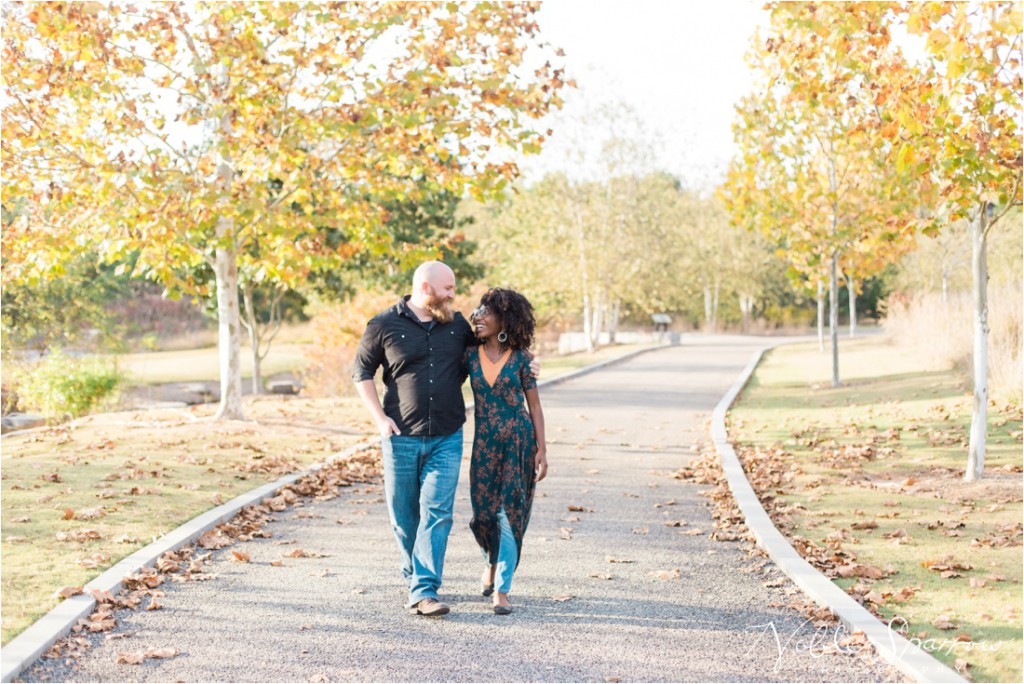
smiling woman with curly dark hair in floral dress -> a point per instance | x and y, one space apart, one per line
509 452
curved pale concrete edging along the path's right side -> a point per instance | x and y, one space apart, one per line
893 648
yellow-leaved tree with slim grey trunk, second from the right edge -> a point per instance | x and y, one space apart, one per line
813 173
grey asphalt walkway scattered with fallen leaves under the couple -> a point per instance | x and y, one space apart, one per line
617 434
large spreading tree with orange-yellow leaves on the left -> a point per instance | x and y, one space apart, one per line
154 132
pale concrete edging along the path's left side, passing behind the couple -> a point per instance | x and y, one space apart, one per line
24 650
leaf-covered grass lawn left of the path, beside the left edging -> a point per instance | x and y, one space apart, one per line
77 500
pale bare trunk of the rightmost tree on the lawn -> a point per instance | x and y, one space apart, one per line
979 415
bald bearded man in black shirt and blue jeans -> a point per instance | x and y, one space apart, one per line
420 344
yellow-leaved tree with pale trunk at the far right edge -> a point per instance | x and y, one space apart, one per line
958 124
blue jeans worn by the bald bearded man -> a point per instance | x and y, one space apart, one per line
420 479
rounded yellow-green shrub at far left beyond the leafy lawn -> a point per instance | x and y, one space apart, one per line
62 388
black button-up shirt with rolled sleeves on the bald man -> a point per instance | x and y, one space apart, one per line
423 369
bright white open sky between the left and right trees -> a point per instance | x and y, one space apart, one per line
678 64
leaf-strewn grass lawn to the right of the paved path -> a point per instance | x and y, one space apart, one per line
875 469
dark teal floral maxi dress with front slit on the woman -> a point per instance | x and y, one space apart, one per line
504 451
